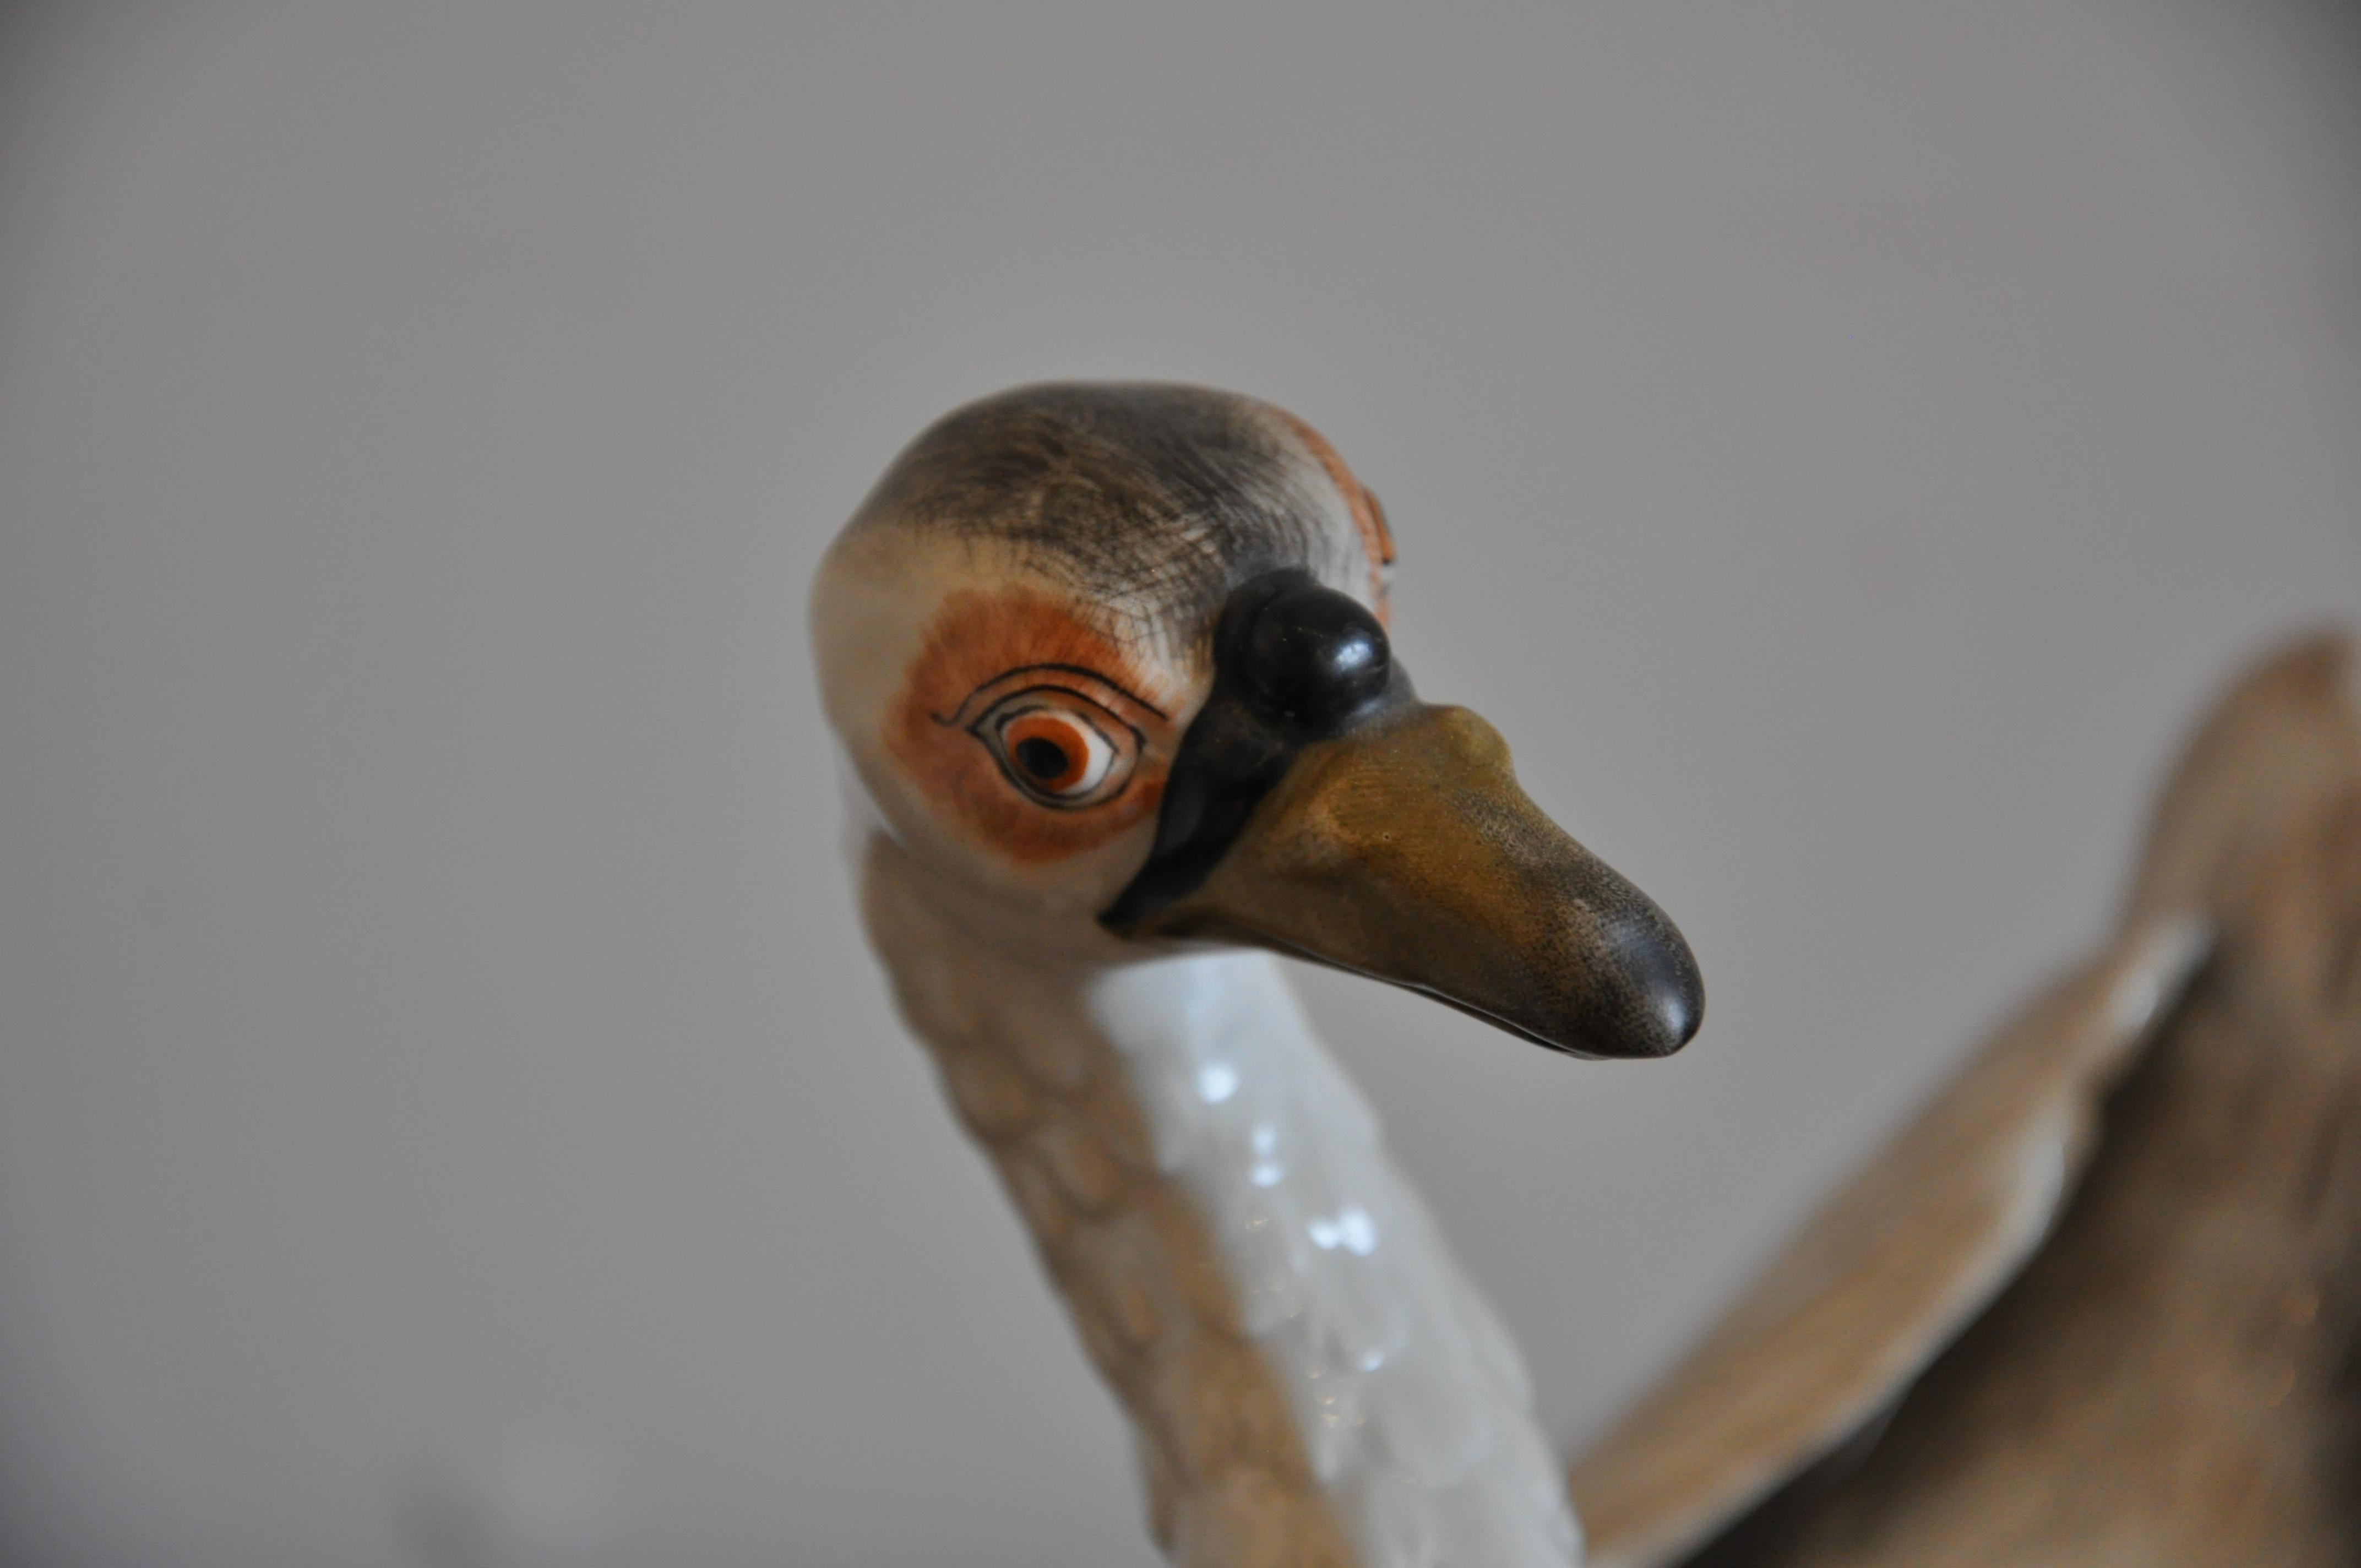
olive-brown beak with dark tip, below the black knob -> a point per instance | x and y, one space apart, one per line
1406 851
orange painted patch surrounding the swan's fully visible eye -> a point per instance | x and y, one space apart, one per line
981 636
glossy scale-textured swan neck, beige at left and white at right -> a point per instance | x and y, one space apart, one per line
1309 1371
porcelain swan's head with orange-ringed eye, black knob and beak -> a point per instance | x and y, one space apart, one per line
1113 665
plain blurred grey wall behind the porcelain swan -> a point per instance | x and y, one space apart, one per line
447 1113
